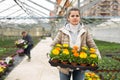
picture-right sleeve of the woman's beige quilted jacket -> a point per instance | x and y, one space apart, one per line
91 44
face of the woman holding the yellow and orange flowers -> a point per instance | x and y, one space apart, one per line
74 17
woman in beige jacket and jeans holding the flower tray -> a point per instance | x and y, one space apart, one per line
74 33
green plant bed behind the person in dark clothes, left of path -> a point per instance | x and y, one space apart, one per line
7 46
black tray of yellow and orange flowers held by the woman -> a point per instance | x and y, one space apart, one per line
64 53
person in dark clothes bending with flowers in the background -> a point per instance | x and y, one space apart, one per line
29 40
